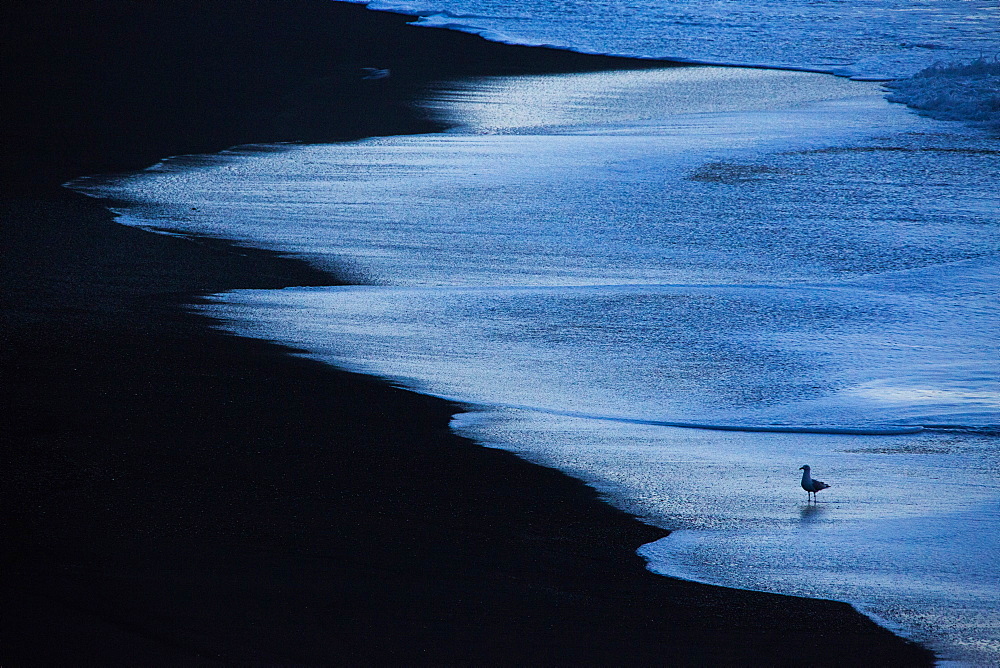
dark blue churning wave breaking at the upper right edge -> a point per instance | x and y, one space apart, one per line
959 91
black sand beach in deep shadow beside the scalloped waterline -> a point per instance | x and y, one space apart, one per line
173 495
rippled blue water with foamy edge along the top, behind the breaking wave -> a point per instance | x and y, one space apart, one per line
867 38
